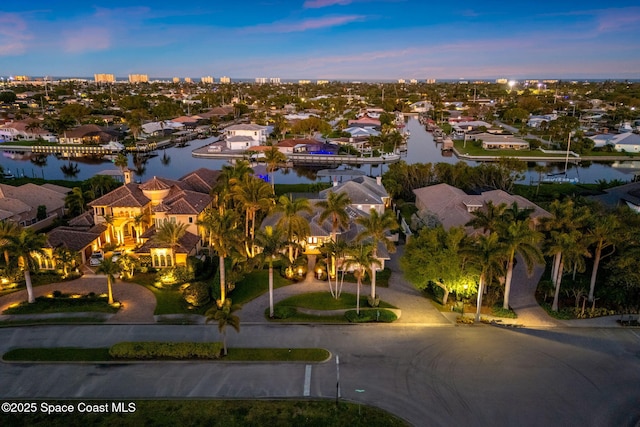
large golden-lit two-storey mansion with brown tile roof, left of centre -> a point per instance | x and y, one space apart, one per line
133 211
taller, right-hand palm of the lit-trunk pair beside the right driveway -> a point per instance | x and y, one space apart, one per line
519 237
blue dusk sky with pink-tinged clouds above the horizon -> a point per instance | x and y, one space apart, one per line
322 39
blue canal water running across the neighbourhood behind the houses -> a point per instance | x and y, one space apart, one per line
175 162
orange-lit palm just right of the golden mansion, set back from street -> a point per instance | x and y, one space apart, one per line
253 195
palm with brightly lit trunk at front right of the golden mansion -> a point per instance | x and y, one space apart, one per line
224 236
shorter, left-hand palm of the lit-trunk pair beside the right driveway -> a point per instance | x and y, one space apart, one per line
488 254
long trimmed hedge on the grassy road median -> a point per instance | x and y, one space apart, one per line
166 350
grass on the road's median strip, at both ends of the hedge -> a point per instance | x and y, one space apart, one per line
77 354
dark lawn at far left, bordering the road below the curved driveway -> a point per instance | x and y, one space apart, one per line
64 304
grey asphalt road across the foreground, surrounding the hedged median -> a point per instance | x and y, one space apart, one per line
431 376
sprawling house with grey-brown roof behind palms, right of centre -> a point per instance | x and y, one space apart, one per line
452 207
